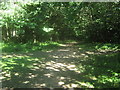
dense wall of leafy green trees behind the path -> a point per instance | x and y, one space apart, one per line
36 22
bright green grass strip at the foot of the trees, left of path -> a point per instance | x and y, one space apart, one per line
12 47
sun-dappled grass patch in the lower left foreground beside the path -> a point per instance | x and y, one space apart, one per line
15 70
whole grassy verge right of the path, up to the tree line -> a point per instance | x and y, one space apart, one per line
103 64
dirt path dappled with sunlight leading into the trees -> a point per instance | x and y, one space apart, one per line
57 69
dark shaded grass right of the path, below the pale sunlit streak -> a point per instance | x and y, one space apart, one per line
103 69
